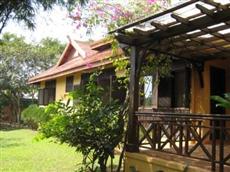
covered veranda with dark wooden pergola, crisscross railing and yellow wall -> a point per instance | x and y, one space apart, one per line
197 33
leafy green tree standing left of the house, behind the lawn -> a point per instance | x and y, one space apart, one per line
19 61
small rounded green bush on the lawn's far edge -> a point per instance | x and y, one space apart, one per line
33 115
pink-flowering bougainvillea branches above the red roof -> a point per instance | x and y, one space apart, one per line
112 14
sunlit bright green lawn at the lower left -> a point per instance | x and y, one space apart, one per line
19 152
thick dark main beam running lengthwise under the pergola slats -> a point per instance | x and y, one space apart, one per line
184 28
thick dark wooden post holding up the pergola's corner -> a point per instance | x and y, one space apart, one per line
133 132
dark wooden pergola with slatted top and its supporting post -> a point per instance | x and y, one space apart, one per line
195 31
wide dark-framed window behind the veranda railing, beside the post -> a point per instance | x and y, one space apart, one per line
170 92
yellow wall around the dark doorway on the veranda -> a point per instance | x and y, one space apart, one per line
200 99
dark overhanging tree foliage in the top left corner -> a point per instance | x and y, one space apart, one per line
25 10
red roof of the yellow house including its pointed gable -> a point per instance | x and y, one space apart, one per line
78 56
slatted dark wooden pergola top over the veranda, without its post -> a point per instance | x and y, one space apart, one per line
198 26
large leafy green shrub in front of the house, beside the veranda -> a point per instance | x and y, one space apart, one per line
92 126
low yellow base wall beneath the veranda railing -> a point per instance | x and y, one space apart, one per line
143 163
